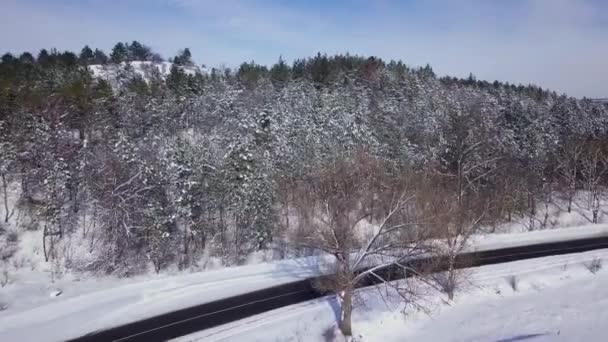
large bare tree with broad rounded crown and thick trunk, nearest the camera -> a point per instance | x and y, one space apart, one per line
335 220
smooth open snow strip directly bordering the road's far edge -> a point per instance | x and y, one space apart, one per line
116 305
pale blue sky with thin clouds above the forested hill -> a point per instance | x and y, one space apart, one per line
559 44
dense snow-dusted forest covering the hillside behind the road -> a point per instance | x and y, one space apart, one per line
153 168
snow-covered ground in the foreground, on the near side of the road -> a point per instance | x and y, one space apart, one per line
546 299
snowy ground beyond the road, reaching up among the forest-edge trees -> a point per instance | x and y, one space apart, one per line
28 296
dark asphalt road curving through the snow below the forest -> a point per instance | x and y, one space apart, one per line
201 317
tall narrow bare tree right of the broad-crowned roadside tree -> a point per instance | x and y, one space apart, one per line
458 207
